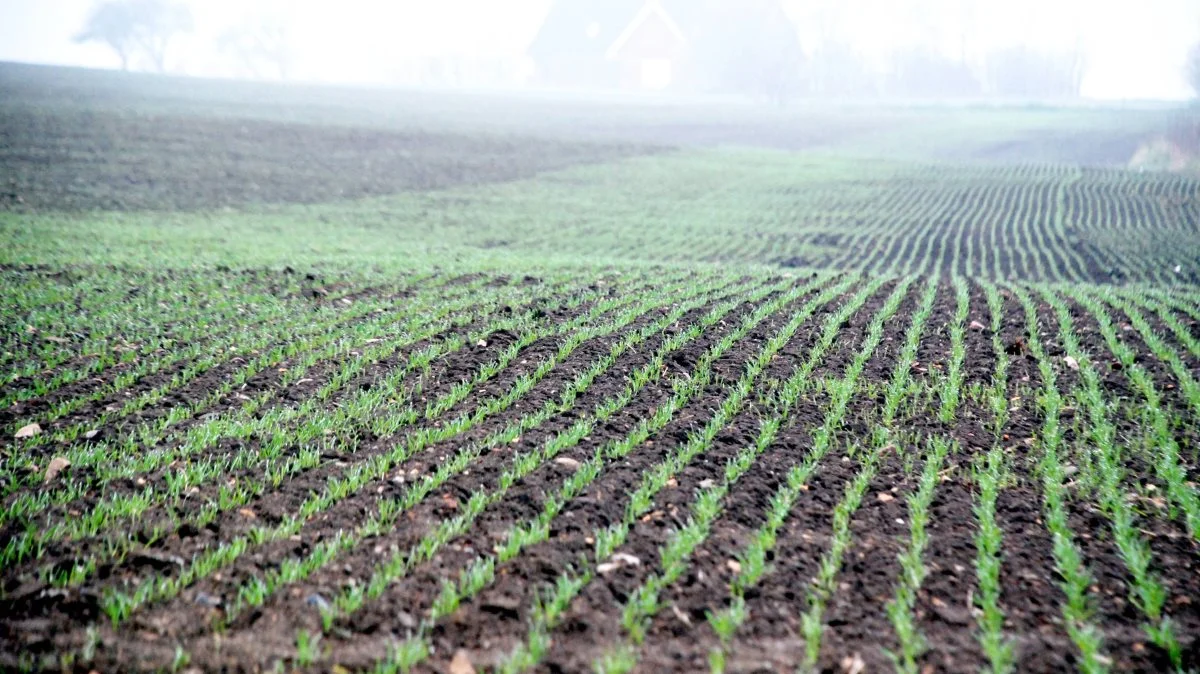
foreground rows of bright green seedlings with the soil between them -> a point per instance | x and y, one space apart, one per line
484 396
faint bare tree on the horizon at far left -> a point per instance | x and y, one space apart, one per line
135 28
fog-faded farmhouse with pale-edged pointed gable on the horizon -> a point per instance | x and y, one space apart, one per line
629 45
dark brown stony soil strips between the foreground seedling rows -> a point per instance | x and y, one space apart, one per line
43 623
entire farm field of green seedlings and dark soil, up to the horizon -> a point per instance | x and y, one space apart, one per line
502 399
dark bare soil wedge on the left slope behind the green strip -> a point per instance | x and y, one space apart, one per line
63 160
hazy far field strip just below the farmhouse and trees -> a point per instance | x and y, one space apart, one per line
1089 136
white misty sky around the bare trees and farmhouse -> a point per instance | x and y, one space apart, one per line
1133 50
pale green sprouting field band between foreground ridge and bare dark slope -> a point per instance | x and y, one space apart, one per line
775 209
